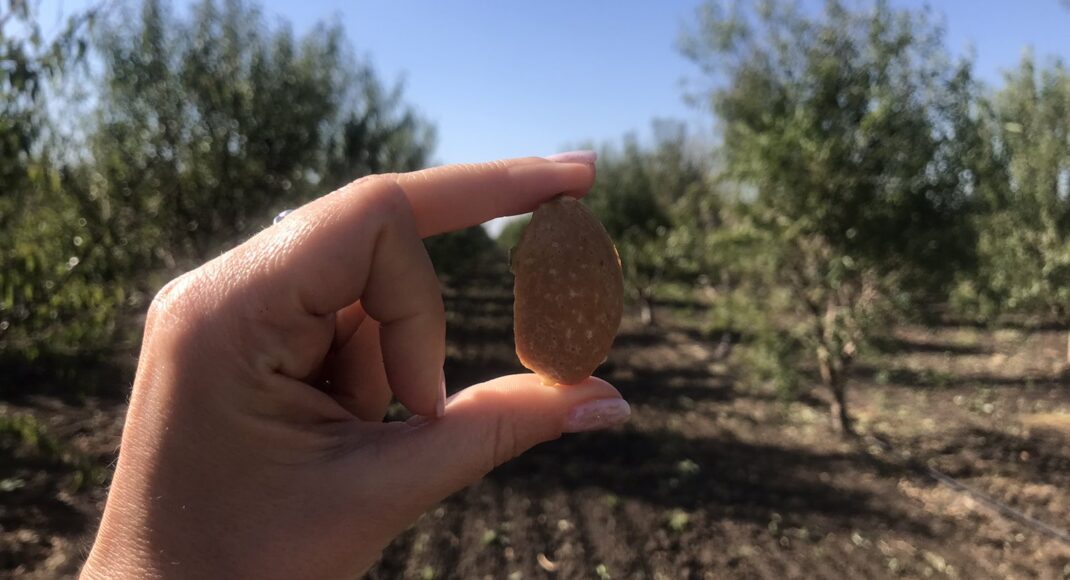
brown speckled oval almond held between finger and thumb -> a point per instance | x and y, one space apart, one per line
569 293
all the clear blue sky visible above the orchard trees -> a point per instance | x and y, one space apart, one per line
517 79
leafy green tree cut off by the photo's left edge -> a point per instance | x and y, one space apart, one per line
48 297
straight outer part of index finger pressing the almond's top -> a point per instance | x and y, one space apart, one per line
454 197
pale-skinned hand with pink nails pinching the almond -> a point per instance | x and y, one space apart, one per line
254 445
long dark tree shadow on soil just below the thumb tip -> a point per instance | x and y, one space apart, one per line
723 477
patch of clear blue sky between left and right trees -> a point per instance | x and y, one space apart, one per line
518 79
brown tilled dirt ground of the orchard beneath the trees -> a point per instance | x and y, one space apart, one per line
712 479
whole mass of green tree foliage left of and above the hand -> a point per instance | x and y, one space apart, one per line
205 127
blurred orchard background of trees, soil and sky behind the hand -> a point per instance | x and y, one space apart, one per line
845 228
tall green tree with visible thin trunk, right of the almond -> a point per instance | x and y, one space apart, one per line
840 132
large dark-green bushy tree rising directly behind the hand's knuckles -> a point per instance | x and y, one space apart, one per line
211 125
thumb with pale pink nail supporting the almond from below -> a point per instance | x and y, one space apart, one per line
488 424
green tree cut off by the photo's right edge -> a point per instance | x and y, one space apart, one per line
1025 224
